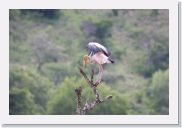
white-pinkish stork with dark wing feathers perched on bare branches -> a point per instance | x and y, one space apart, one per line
98 54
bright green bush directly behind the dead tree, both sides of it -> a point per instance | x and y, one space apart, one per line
63 99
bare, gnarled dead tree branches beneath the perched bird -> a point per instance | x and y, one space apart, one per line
82 110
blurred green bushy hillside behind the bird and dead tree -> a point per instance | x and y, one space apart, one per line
46 48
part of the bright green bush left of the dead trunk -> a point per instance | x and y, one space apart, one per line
63 100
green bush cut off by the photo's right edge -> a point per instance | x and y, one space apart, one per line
160 92
